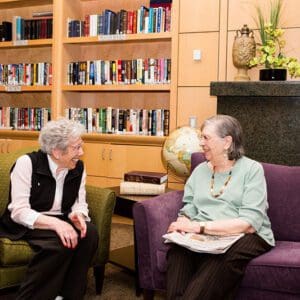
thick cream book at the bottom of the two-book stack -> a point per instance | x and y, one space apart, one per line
141 188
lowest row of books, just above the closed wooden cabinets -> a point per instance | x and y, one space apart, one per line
154 122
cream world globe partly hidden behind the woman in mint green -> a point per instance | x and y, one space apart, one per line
178 148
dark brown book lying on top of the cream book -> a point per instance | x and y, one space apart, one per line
146 177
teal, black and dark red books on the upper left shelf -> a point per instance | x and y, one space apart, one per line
31 29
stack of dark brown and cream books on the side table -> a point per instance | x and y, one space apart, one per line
143 183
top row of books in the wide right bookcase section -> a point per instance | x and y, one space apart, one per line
108 22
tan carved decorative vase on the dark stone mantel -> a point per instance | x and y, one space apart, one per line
243 51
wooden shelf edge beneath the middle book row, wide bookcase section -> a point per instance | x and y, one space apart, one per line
117 87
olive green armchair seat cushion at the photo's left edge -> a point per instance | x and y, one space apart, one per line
14 253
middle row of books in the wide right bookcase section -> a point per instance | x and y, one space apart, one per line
137 71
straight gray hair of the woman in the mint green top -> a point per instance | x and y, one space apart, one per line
228 126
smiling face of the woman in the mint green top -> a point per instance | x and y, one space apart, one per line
213 146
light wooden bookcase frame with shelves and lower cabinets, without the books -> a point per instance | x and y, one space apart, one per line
107 156
